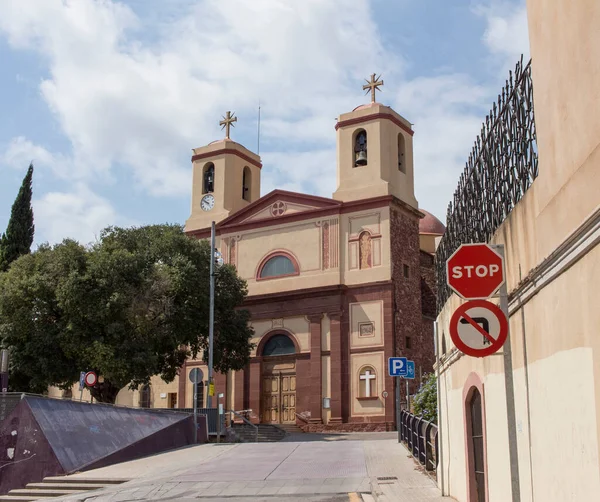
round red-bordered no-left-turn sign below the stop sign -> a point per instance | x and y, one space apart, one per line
478 328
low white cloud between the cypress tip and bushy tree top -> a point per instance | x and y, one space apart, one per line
79 214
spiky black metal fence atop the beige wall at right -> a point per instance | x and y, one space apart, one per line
500 169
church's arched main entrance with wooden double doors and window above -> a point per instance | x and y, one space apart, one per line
278 400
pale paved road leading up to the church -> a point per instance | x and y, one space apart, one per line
315 468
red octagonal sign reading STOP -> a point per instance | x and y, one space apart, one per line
475 271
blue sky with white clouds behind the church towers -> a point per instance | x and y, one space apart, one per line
108 98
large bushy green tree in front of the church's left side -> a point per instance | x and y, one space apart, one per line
132 306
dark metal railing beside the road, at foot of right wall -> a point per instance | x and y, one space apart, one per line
421 439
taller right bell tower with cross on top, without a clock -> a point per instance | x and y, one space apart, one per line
374 152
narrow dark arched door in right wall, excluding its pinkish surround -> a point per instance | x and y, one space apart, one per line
476 447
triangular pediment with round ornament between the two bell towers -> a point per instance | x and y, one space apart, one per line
279 203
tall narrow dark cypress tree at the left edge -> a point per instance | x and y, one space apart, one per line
18 238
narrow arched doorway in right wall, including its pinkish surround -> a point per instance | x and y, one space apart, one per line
475 439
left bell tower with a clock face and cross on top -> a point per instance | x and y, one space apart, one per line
225 179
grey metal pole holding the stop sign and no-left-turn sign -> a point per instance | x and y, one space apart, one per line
510 396
